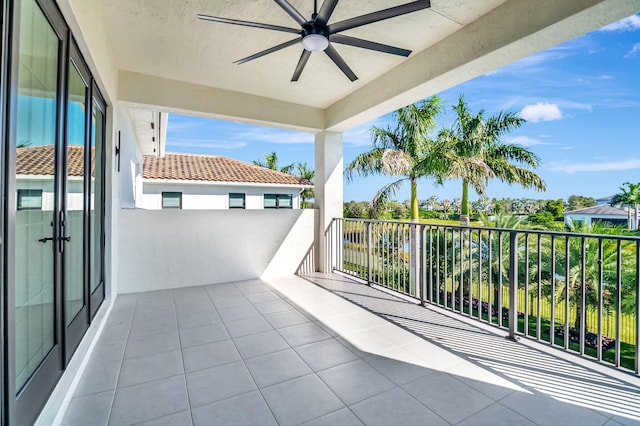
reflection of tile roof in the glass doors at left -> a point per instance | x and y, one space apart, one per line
39 160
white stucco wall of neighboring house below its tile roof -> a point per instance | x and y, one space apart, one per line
202 196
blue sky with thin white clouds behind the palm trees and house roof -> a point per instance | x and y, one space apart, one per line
581 100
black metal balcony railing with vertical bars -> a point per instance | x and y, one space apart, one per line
575 291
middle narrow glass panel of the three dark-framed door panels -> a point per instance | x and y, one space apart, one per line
74 220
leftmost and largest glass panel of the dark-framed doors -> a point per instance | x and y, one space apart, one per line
35 153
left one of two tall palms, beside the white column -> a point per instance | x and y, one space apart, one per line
403 151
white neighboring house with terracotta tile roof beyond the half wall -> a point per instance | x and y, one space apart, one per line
202 182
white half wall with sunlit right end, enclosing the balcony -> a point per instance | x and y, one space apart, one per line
162 249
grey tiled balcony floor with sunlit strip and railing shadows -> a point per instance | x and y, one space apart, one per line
292 352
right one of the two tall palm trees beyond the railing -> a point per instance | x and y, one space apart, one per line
477 154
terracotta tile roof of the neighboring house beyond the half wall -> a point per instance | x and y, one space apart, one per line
214 169
